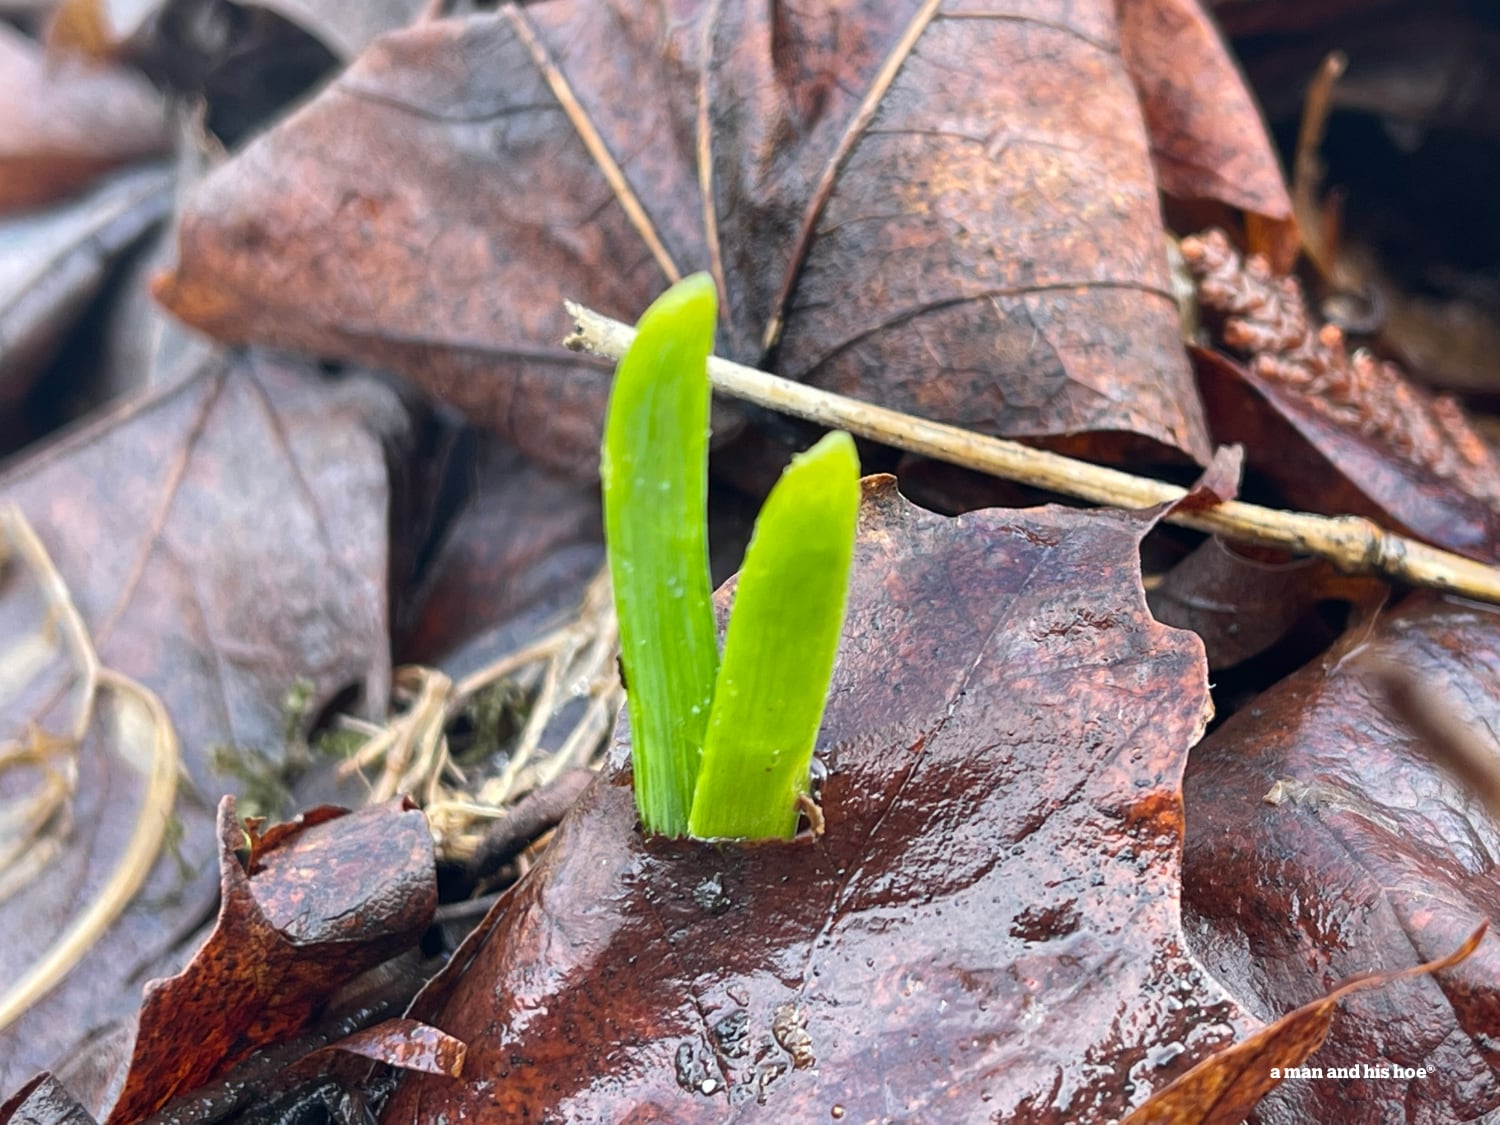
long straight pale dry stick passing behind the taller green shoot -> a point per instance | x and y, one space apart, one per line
1352 544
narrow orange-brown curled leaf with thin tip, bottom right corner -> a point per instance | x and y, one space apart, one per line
1225 1088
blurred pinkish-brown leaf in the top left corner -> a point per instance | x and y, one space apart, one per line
62 128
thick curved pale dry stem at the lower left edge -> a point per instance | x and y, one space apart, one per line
133 868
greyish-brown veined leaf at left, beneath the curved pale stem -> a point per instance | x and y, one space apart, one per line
221 541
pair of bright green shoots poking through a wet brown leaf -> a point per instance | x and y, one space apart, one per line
719 751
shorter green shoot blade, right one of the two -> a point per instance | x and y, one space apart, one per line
779 650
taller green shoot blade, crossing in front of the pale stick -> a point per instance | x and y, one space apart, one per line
655 473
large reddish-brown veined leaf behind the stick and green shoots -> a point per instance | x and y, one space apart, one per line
941 211
